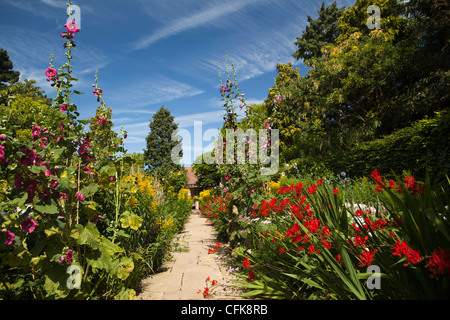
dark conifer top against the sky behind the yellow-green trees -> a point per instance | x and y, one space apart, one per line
320 32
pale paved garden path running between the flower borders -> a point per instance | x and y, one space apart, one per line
185 273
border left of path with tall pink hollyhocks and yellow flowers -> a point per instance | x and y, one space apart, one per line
65 203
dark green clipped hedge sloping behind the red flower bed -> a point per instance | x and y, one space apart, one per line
420 148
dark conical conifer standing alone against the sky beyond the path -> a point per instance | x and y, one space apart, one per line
157 156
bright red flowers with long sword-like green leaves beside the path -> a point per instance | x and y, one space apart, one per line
305 241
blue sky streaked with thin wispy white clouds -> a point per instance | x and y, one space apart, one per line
152 53
